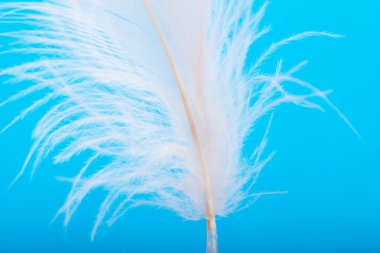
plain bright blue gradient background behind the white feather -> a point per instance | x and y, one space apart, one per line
333 204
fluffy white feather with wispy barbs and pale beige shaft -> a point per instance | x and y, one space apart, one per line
157 92
